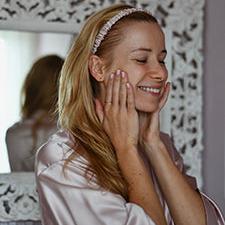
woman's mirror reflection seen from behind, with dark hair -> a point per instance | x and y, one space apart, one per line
39 98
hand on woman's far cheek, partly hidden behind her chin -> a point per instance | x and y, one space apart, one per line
150 136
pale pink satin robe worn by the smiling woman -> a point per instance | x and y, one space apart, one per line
70 199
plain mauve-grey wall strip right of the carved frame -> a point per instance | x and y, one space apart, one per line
214 101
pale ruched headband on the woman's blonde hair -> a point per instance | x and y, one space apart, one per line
107 26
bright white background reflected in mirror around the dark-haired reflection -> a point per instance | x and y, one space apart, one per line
18 52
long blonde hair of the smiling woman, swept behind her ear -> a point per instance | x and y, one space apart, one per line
78 89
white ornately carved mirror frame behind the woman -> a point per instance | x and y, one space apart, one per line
184 19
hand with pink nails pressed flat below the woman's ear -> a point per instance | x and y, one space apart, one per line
118 115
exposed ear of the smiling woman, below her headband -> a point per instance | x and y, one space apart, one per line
96 67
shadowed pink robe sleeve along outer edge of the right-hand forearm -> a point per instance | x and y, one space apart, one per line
213 213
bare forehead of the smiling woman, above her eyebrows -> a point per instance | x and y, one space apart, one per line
142 35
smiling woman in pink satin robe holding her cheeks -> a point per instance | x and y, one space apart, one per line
110 164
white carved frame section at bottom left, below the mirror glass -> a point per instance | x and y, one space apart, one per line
18 197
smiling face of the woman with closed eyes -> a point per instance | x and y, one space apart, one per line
141 54
